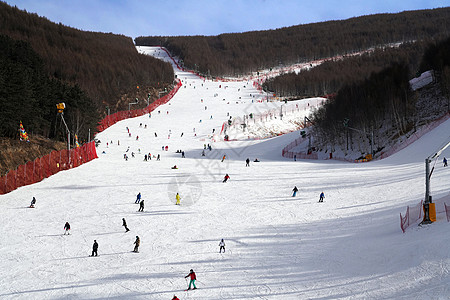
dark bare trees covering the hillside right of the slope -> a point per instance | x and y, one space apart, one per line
384 103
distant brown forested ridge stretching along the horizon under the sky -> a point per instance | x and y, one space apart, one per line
241 53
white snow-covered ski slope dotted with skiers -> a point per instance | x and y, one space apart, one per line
277 246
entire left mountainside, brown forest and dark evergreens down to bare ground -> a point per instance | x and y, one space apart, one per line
43 63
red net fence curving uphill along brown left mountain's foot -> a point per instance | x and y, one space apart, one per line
122 115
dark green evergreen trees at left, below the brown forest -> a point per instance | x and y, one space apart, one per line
29 95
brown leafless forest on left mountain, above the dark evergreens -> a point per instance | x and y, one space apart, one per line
105 66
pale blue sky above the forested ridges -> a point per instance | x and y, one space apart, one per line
206 17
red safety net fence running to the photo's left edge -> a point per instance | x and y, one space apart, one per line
46 166
